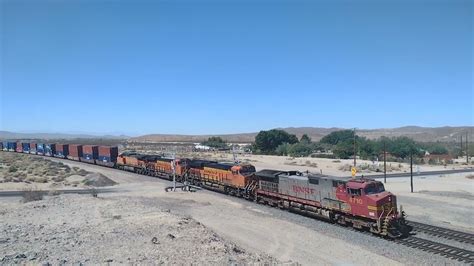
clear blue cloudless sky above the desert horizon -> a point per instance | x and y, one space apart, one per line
195 67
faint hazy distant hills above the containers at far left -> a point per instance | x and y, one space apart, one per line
14 135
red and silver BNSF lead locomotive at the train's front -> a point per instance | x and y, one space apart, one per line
361 203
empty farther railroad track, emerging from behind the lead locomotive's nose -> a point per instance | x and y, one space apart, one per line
443 232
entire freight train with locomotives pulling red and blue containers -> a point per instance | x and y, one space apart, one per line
361 203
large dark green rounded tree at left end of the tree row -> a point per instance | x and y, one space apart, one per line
267 141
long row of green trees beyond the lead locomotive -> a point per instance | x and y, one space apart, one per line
341 145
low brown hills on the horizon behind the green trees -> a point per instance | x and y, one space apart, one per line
424 134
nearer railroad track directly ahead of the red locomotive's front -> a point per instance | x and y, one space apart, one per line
447 251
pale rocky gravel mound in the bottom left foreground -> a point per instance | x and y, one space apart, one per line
72 229
